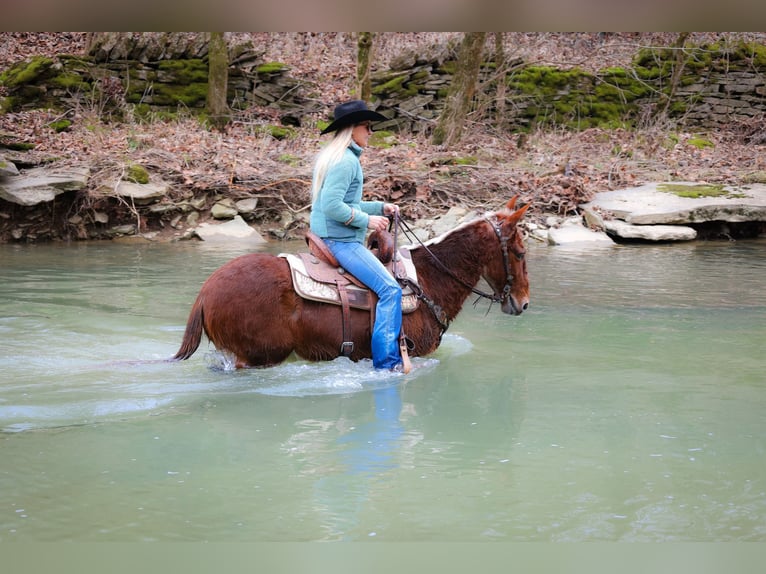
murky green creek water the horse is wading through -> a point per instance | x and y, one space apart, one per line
627 404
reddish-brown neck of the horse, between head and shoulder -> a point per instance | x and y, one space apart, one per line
463 252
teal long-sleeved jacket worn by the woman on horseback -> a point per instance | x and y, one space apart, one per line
338 211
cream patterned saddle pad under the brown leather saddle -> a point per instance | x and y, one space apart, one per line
325 290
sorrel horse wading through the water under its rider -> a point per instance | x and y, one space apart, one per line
249 309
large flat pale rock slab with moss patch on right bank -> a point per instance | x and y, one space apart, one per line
649 205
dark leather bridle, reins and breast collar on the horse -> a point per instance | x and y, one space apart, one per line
439 313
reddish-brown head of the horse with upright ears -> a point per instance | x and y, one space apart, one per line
506 274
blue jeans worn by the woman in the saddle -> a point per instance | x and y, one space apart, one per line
362 264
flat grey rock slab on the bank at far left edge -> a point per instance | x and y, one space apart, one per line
40 185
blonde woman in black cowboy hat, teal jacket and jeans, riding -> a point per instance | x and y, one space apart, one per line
342 218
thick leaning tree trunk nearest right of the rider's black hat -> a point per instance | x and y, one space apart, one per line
460 94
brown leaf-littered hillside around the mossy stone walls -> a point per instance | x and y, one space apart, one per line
553 170
